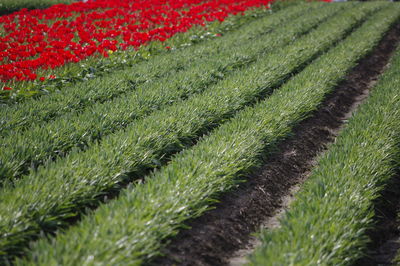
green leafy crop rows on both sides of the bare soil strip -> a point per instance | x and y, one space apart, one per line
107 171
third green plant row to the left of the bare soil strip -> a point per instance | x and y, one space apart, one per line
44 141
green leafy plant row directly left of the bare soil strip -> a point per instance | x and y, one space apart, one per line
132 228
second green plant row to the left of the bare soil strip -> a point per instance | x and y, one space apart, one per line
50 197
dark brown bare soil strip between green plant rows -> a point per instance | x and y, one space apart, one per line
213 238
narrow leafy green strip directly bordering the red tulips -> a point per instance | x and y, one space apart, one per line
97 66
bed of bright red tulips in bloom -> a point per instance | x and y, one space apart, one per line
69 33
